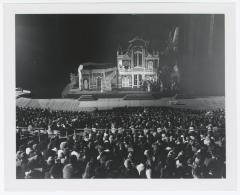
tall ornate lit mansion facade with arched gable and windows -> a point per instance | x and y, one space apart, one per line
137 64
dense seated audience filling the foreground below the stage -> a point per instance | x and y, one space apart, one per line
137 142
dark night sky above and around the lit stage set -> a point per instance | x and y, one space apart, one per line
49 47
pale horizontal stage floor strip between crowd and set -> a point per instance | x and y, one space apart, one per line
212 102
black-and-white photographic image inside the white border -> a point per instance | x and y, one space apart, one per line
120 96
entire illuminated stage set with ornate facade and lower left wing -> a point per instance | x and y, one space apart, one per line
137 74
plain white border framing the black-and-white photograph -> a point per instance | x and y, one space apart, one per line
13 184
